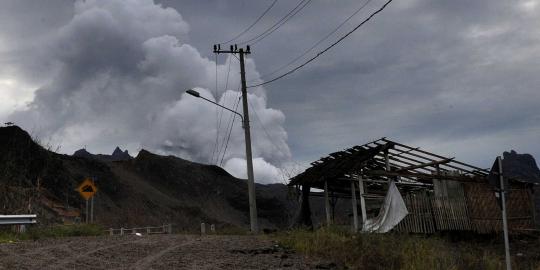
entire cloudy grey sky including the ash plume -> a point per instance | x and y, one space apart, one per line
458 78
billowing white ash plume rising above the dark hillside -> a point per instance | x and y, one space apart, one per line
122 69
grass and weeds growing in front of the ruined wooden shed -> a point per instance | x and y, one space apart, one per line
397 251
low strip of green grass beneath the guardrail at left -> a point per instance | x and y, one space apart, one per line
39 232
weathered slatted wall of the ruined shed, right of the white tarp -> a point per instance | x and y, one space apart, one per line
475 210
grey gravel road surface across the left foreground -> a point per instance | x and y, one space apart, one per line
150 252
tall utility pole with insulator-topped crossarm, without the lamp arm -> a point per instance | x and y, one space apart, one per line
249 159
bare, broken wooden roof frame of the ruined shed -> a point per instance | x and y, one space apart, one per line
384 159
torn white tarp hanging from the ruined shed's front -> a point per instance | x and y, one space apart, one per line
392 212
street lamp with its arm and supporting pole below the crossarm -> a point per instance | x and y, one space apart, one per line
249 159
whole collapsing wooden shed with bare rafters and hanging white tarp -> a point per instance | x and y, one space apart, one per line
414 190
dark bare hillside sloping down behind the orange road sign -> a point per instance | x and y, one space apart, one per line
145 190
